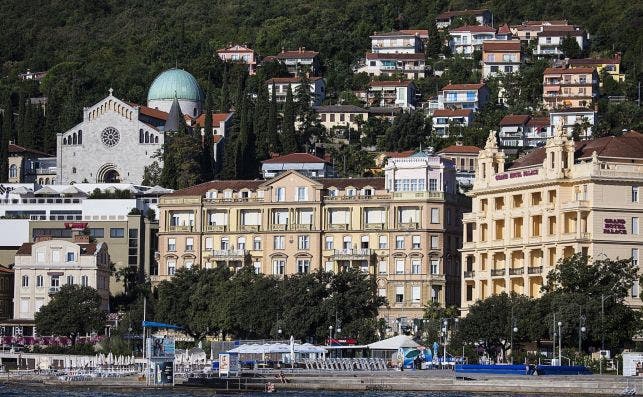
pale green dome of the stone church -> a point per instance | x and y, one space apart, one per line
175 83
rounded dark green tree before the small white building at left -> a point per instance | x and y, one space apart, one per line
84 316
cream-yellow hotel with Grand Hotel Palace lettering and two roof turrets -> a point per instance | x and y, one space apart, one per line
563 198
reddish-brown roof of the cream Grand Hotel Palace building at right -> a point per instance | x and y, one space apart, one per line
629 146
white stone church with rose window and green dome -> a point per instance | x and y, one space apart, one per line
116 139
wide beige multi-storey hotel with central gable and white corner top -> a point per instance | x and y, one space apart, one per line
405 228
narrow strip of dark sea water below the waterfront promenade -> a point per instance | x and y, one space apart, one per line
23 391
